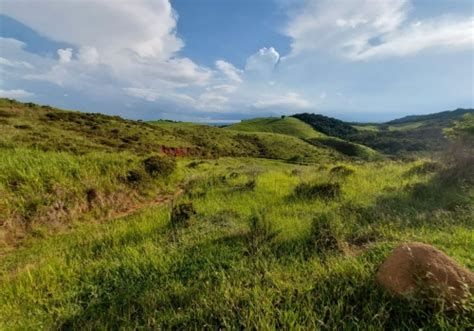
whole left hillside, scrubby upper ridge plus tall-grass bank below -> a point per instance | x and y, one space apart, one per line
59 166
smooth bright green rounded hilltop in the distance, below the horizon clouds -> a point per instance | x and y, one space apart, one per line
286 125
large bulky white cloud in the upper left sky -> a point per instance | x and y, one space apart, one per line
121 44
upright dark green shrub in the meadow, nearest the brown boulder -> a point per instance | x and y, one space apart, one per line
325 234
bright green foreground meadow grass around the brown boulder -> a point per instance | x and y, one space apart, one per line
141 272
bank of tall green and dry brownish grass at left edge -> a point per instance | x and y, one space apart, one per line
52 188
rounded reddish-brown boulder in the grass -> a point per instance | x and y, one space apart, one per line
421 268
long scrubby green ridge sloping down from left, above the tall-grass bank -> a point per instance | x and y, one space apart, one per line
51 129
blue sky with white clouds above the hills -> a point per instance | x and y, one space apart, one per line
227 60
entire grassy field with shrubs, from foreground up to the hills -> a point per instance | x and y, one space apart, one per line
91 237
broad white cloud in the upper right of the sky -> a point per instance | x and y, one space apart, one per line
365 28
